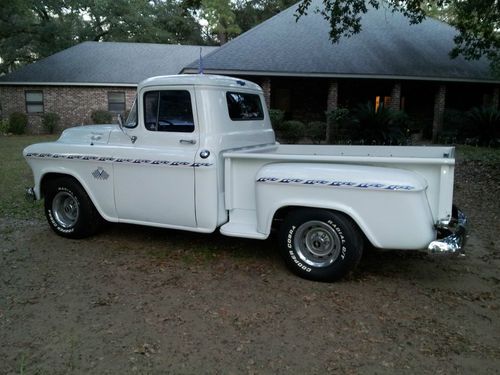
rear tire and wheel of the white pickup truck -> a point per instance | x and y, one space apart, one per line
320 244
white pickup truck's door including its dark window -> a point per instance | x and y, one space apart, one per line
154 177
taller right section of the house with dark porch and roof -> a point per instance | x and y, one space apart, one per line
403 66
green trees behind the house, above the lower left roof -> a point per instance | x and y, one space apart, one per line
31 30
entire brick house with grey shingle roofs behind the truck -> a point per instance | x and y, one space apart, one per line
302 73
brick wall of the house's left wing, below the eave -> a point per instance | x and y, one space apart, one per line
73 104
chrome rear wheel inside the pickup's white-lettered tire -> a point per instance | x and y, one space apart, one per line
317 244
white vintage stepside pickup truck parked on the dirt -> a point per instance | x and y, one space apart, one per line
198 153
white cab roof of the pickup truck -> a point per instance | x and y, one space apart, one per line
199 80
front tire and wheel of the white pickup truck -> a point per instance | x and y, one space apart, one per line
69 210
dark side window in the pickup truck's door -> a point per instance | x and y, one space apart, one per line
168 111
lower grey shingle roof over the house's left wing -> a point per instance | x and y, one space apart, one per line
107 63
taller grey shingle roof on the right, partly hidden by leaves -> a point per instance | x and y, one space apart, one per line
387 46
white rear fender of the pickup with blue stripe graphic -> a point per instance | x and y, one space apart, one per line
389 205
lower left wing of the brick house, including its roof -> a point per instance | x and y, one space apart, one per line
87 77
